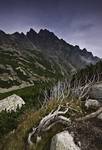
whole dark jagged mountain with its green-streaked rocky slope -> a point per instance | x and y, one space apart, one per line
25 59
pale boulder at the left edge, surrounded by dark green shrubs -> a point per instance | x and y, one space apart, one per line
11 103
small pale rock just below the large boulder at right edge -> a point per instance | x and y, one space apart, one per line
92 103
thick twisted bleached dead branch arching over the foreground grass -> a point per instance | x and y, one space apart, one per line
48 122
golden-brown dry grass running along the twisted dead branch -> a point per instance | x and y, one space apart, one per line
17 140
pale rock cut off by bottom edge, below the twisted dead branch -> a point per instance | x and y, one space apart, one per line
63 141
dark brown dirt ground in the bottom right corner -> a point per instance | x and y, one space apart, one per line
89 134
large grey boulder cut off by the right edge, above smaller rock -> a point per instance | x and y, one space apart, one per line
96 91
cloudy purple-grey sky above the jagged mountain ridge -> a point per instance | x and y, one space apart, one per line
79 22
